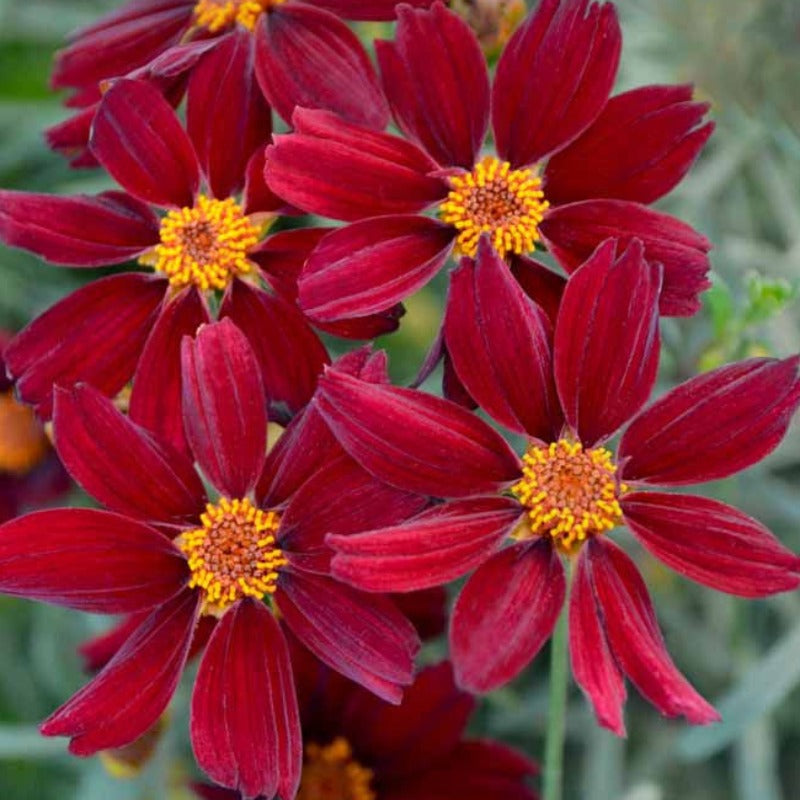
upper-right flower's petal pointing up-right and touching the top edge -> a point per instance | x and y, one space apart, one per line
554 77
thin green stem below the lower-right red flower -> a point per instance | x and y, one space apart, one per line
557 707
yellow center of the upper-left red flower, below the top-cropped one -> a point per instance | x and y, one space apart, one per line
204 246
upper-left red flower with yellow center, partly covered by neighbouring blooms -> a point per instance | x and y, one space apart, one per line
205 244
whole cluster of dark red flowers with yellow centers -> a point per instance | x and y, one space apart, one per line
288 518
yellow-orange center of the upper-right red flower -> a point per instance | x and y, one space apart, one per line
508 204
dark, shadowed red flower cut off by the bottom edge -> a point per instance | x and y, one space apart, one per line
359 748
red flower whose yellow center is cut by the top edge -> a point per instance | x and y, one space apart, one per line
291 52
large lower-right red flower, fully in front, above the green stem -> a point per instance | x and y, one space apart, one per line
513 520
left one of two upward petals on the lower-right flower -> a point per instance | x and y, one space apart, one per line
491 330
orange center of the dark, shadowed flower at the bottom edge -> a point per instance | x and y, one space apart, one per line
331 773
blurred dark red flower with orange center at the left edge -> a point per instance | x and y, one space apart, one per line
30 472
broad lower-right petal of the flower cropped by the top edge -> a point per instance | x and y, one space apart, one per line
307 57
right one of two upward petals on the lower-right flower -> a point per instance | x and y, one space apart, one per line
606 342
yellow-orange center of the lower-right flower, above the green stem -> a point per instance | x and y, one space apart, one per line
569 493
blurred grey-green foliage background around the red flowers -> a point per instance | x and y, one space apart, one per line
744 57
